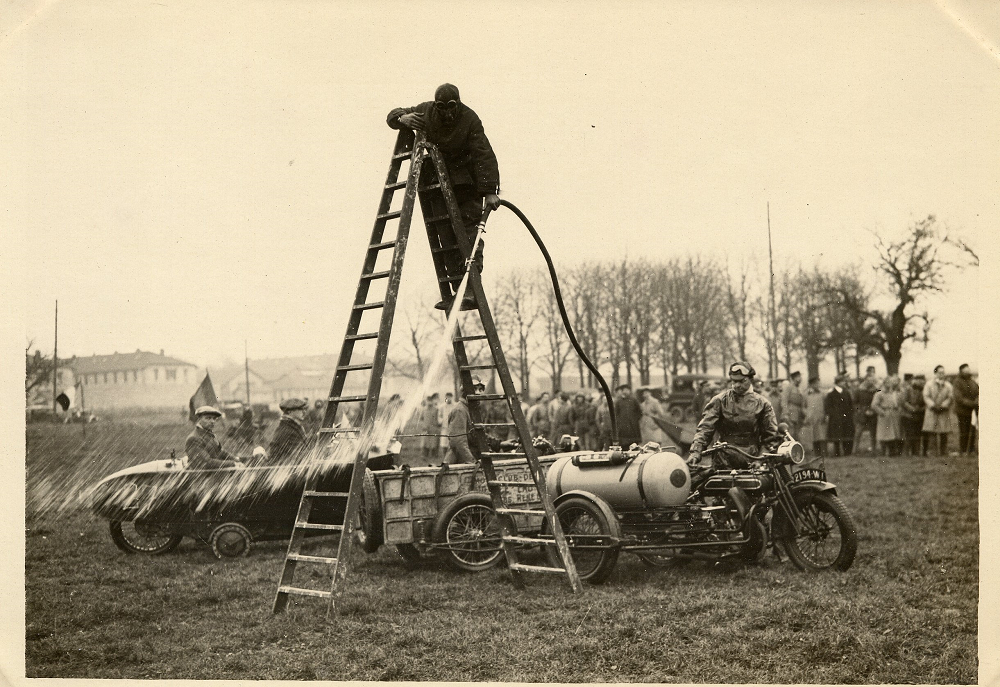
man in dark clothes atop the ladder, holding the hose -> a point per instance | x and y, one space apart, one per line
472 166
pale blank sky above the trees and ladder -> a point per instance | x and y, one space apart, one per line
187 175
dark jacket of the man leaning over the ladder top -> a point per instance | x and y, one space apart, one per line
467 152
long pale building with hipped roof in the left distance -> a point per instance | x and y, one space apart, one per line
133 380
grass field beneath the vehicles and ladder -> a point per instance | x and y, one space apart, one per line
905 612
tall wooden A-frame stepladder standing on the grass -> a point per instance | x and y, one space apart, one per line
451 250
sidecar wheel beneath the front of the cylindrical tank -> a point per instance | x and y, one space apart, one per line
587 530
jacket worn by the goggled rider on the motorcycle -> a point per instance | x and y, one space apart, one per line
744 420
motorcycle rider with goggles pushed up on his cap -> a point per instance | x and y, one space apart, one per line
740 416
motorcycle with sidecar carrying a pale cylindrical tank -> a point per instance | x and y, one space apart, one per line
648 503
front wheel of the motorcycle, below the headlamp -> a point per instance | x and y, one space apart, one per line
828 539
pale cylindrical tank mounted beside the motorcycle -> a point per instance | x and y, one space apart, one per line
649 480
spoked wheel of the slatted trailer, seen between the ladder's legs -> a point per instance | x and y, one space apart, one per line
469 532
